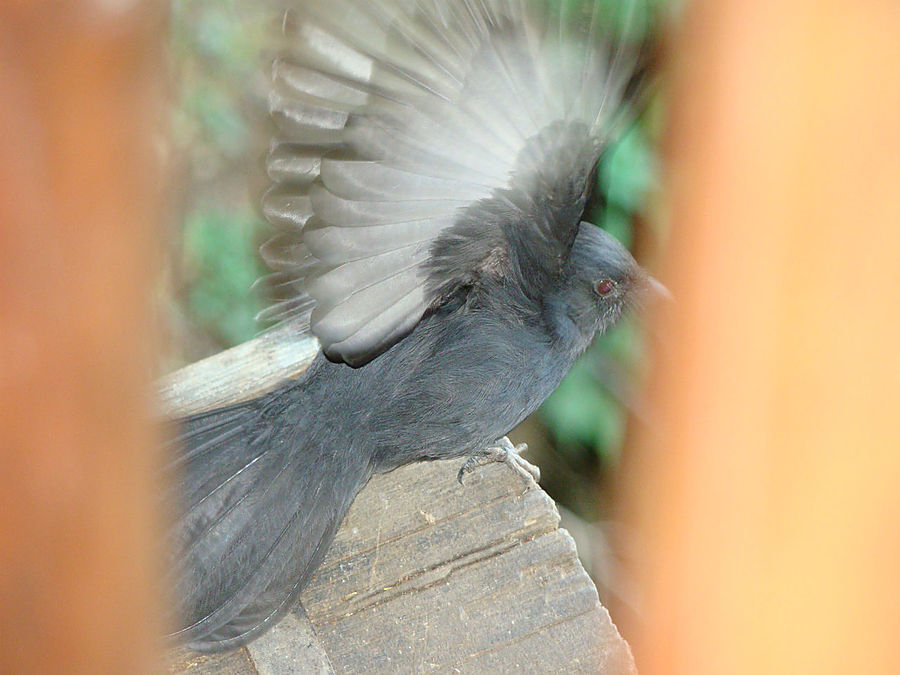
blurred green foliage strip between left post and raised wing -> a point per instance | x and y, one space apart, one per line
219 132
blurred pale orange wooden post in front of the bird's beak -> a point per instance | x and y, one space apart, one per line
771 492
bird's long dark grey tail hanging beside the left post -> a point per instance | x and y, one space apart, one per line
259 503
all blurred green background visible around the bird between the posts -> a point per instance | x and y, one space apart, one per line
220 133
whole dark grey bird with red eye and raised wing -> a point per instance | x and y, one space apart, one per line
431 166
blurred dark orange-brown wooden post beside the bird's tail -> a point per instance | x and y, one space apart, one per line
79 129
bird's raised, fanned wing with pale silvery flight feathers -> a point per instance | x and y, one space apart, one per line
423 144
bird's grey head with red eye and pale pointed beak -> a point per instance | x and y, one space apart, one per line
601 281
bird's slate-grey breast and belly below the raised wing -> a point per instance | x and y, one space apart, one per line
461 390
